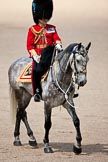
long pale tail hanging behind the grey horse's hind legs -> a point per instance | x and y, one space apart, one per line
13 104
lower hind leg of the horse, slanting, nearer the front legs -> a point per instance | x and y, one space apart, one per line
32 140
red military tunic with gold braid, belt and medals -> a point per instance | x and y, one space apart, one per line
38 38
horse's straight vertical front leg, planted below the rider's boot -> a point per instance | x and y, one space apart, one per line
47 126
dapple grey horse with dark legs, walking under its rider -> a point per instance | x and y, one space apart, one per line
68 67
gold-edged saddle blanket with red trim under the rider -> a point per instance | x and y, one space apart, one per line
25 75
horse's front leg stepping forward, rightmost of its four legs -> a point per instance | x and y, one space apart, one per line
77 147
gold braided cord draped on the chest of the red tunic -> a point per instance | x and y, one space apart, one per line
37 34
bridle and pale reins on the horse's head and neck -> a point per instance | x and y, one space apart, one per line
76 73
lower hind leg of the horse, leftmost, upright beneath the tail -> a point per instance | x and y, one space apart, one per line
17 141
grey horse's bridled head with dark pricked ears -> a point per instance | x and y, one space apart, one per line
78 61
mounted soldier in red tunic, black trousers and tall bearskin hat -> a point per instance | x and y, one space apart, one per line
42 38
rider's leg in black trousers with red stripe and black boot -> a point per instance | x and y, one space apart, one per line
38 69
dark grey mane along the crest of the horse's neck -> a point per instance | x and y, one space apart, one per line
67 50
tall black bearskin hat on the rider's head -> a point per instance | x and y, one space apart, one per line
42 9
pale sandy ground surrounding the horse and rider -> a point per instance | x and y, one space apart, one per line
82 21
